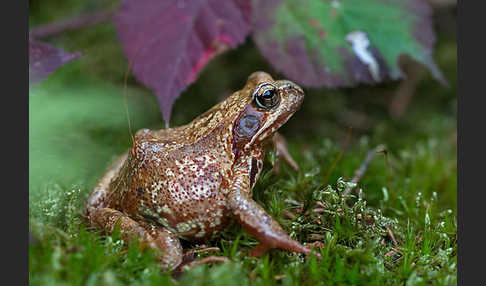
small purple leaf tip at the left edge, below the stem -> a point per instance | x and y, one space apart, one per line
44 59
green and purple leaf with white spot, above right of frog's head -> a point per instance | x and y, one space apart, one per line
343 43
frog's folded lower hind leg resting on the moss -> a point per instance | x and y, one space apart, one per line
165 242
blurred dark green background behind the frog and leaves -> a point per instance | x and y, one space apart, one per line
397 113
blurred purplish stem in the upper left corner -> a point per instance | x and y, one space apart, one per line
74 23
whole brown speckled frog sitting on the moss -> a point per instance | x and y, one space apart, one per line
190 182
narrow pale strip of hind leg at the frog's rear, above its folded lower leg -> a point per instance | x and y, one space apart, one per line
100 191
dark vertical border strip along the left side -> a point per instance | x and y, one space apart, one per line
15 145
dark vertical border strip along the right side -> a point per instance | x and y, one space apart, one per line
471 143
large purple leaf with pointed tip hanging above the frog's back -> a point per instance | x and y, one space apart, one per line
169 42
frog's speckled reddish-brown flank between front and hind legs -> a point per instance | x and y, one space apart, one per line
180 186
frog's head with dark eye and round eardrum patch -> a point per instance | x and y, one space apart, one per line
270 105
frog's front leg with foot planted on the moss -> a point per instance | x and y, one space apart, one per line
261 225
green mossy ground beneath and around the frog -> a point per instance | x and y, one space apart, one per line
354 231
